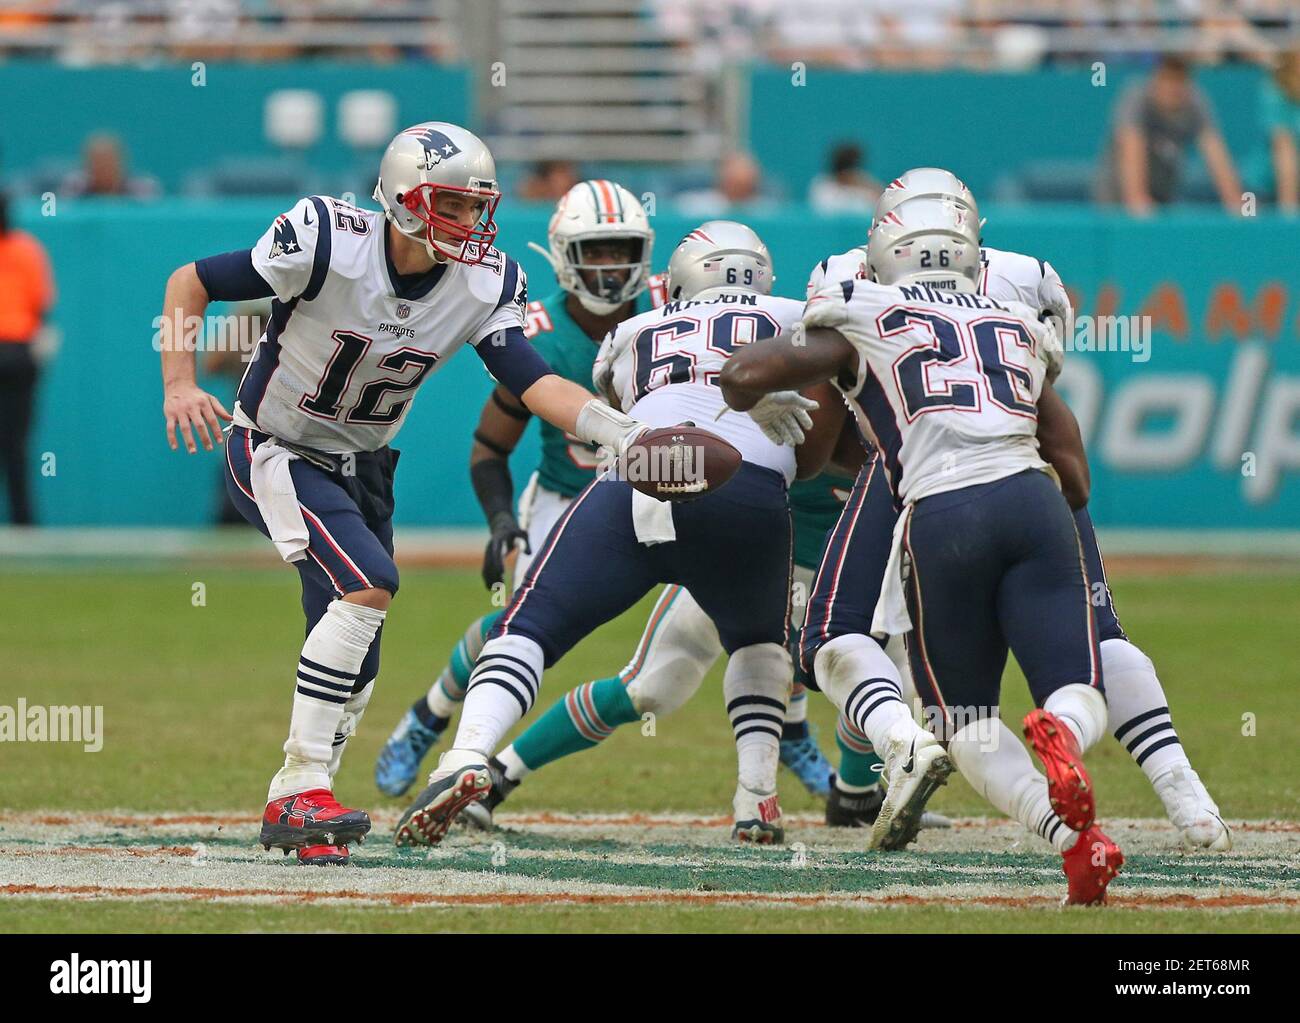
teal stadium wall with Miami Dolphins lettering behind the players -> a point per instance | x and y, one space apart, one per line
1167 441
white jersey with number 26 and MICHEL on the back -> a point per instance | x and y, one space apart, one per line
947 383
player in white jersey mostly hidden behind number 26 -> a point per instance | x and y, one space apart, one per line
843 599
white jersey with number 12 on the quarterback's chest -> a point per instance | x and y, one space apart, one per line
349 341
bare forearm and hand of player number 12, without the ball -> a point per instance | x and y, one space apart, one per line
185 405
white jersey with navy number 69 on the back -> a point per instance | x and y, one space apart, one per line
662 367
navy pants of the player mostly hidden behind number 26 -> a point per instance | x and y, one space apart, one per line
848 583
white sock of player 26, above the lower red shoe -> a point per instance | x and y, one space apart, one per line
993 760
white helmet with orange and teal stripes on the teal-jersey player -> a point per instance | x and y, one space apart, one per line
596 215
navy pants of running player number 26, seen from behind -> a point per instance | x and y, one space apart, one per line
998 566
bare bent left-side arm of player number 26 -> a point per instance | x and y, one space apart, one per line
792 361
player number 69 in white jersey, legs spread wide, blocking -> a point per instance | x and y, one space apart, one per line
731 549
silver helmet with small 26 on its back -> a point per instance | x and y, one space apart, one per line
926 241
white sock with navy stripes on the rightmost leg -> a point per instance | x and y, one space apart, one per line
1139 713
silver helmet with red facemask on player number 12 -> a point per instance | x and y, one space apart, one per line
437 158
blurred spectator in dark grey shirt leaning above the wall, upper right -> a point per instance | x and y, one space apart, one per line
1156 122
